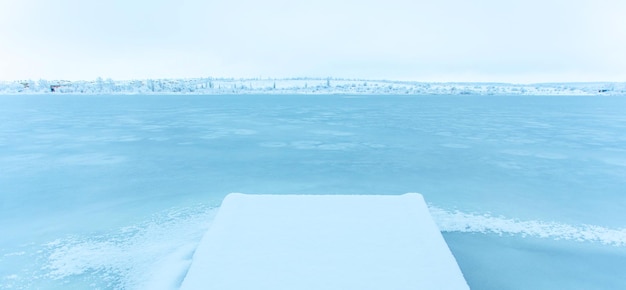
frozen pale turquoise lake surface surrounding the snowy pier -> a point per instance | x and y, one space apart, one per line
115 192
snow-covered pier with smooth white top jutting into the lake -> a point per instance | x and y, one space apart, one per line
323 242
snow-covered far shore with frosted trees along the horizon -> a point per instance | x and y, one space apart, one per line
213 86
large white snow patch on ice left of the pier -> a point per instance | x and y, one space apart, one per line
152 255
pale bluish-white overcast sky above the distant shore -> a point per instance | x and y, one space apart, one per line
443 40
